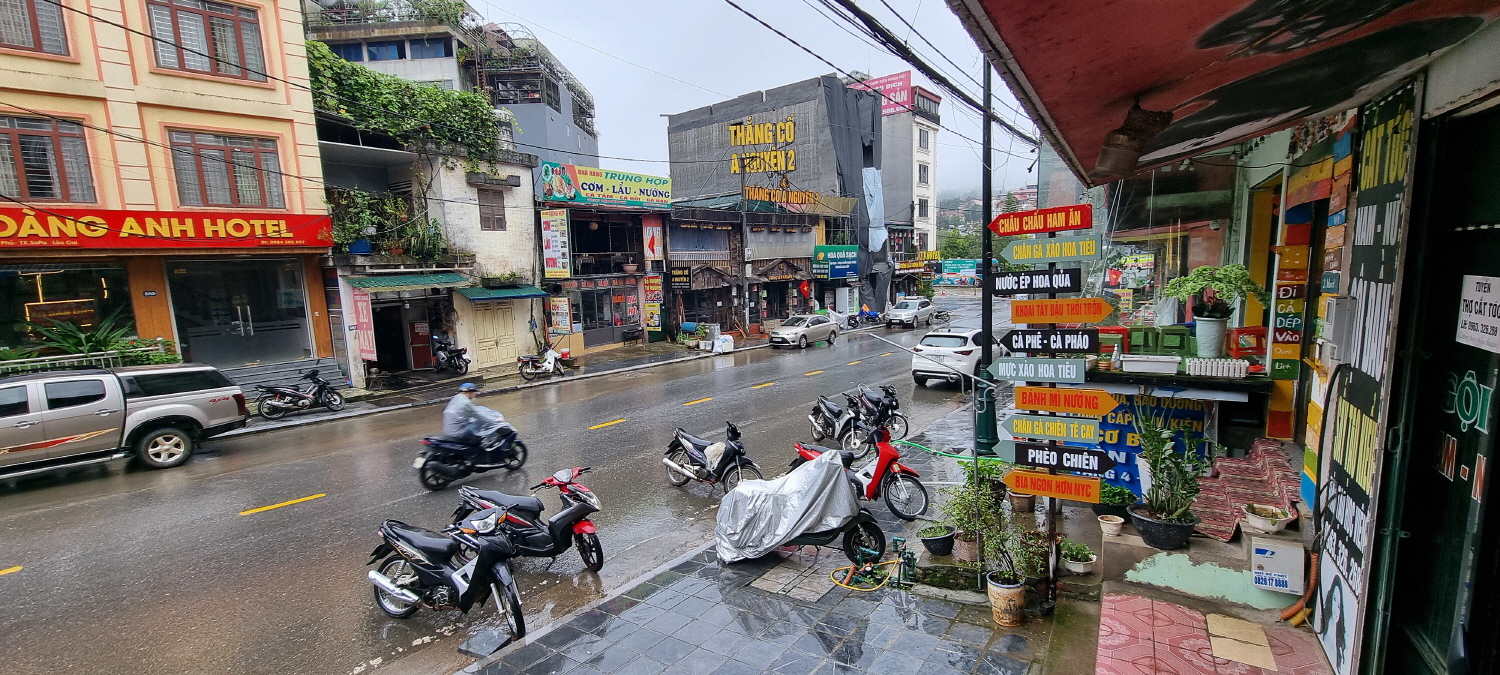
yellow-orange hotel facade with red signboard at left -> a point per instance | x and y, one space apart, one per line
160 160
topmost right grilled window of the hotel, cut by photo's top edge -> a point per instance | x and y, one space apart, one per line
208 37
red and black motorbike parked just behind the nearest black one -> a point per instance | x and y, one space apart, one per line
536 536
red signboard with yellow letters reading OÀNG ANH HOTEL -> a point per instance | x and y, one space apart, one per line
97 229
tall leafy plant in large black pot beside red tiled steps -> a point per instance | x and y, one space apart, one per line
1165 518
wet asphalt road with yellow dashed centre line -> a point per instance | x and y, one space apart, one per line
130 571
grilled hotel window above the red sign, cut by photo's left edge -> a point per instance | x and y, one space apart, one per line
44 160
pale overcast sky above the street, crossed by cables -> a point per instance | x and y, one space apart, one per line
706 52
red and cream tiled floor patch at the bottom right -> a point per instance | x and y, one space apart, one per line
1145 637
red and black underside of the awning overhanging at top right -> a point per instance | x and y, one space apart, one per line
1225 70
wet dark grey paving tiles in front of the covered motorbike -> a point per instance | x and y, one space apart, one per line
704 619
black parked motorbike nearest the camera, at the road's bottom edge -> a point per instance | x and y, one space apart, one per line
457 569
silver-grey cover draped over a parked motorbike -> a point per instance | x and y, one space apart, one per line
761 515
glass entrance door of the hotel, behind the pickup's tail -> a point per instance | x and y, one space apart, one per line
239 313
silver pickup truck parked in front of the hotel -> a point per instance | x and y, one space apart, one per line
59 419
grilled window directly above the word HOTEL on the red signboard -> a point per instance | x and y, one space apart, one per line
217 170
